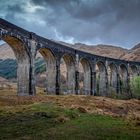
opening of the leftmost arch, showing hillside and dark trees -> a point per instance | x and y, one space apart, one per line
8 69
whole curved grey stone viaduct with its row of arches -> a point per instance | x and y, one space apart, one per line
25 46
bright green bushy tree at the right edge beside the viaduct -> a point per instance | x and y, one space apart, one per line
135 87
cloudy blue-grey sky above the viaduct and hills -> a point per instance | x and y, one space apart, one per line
115 22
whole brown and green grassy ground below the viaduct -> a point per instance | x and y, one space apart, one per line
68 118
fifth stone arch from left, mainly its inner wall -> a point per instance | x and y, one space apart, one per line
101 78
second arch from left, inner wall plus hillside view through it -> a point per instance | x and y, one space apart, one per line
46 71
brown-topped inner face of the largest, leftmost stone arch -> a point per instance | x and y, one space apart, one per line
19 48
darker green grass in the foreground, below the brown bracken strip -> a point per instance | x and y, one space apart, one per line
47 121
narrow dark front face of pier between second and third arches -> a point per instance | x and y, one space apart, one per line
57 77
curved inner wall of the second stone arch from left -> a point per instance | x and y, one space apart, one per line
50 60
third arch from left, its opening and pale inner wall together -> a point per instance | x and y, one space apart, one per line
69 63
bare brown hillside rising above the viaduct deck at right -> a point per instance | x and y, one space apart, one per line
132 54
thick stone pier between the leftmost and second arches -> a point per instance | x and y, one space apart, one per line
25 70
